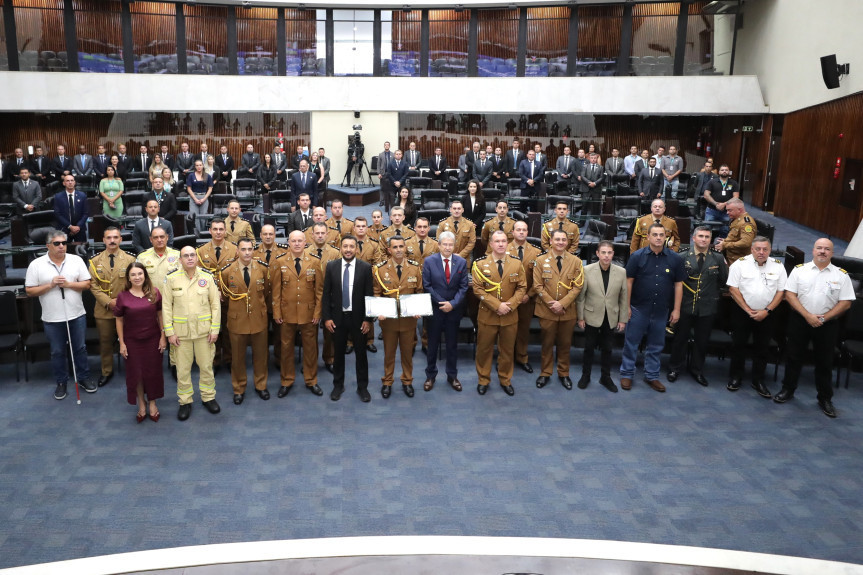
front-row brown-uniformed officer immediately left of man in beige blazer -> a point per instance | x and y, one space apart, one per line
557 279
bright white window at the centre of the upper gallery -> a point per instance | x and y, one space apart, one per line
353 49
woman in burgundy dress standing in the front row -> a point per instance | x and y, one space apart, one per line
142 341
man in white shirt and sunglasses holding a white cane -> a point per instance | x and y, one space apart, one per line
58 279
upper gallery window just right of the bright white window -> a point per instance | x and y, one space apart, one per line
400 42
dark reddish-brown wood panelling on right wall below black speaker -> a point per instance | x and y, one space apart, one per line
805 189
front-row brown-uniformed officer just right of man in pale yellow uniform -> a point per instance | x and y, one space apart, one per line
245 285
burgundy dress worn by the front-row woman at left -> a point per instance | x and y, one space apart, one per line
141 333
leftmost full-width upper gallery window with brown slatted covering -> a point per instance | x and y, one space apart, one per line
41 35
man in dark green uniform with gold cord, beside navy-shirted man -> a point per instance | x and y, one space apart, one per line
706 274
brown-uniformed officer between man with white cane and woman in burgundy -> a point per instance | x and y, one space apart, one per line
108 271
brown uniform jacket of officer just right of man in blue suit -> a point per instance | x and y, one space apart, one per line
492 289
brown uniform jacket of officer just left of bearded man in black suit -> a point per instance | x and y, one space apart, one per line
297 296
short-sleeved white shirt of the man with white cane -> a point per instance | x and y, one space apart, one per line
54 308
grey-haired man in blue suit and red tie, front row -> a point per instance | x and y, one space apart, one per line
445 277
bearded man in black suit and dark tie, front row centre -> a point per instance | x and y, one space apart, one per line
347 283
